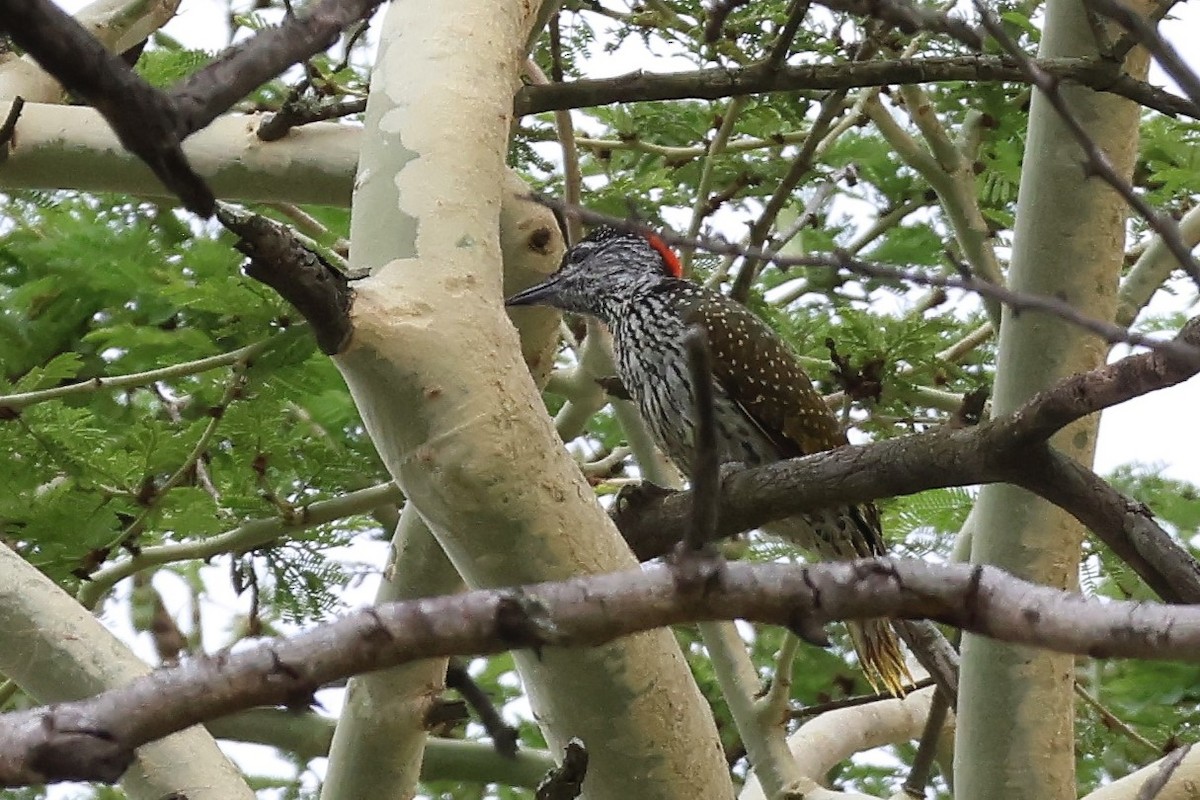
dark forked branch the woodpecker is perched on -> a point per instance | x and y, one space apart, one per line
1010 449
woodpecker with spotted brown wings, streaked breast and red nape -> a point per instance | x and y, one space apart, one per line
765 406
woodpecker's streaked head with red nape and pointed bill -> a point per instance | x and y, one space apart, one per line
603 272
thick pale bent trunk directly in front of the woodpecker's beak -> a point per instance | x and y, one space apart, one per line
436 371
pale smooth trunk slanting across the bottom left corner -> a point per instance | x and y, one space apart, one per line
56 651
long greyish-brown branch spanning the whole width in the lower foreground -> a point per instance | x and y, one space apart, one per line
95 739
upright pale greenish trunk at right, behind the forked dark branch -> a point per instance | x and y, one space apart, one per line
1016 735
